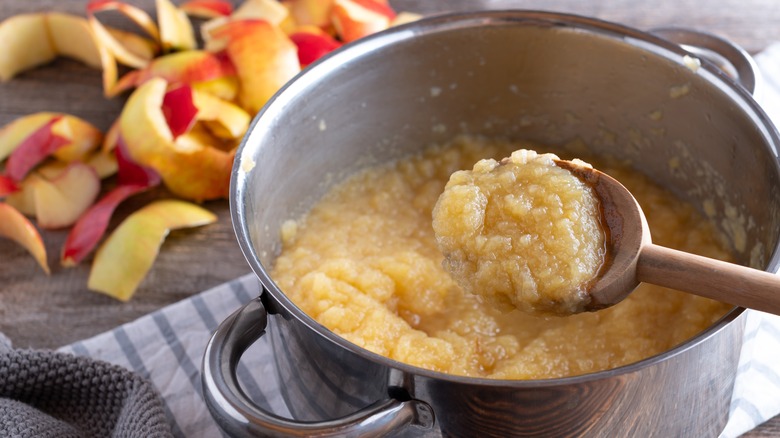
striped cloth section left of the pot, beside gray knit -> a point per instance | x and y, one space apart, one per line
167 347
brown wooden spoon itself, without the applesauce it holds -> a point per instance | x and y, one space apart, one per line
633 258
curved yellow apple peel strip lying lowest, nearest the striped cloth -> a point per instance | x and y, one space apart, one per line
127 255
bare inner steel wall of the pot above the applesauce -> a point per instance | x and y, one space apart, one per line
562 81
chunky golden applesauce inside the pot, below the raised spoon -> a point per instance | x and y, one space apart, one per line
364 263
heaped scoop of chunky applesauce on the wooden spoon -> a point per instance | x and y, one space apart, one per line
522 233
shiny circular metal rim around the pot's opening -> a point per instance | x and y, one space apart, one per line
634 37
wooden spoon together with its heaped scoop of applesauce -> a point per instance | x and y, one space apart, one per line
528 232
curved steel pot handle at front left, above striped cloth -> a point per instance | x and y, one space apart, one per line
237 415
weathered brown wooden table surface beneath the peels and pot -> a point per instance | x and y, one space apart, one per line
46 312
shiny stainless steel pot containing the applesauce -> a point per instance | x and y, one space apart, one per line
544 77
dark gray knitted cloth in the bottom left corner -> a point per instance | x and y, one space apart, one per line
47 394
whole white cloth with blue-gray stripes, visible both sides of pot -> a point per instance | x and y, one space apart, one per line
167 346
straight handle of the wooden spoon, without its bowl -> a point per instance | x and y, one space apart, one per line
721 281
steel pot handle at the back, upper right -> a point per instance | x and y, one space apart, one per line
724 54
